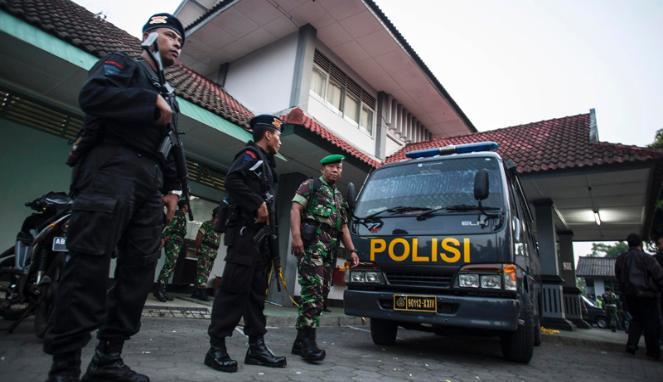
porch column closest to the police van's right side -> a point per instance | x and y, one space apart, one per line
553 314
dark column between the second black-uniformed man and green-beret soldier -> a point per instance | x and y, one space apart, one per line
288 184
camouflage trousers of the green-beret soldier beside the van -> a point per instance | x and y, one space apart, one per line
312 266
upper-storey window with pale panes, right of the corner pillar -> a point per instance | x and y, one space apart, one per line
342 94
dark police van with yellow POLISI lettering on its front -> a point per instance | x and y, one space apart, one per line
446 244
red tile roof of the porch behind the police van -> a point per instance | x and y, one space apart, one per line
555 144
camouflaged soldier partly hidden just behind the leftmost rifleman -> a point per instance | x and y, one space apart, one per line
173 241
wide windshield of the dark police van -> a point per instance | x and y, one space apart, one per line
416 187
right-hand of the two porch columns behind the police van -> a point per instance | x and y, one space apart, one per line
572 302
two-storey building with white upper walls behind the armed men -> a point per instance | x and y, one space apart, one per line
339 73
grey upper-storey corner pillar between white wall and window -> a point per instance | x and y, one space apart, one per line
301 80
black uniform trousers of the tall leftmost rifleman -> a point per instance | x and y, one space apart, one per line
117 207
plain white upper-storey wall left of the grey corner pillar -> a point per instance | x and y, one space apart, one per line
262 80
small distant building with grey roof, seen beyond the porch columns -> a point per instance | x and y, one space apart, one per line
599 274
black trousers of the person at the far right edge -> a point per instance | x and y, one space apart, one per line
645 313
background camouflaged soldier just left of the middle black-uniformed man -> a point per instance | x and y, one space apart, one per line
207 246
